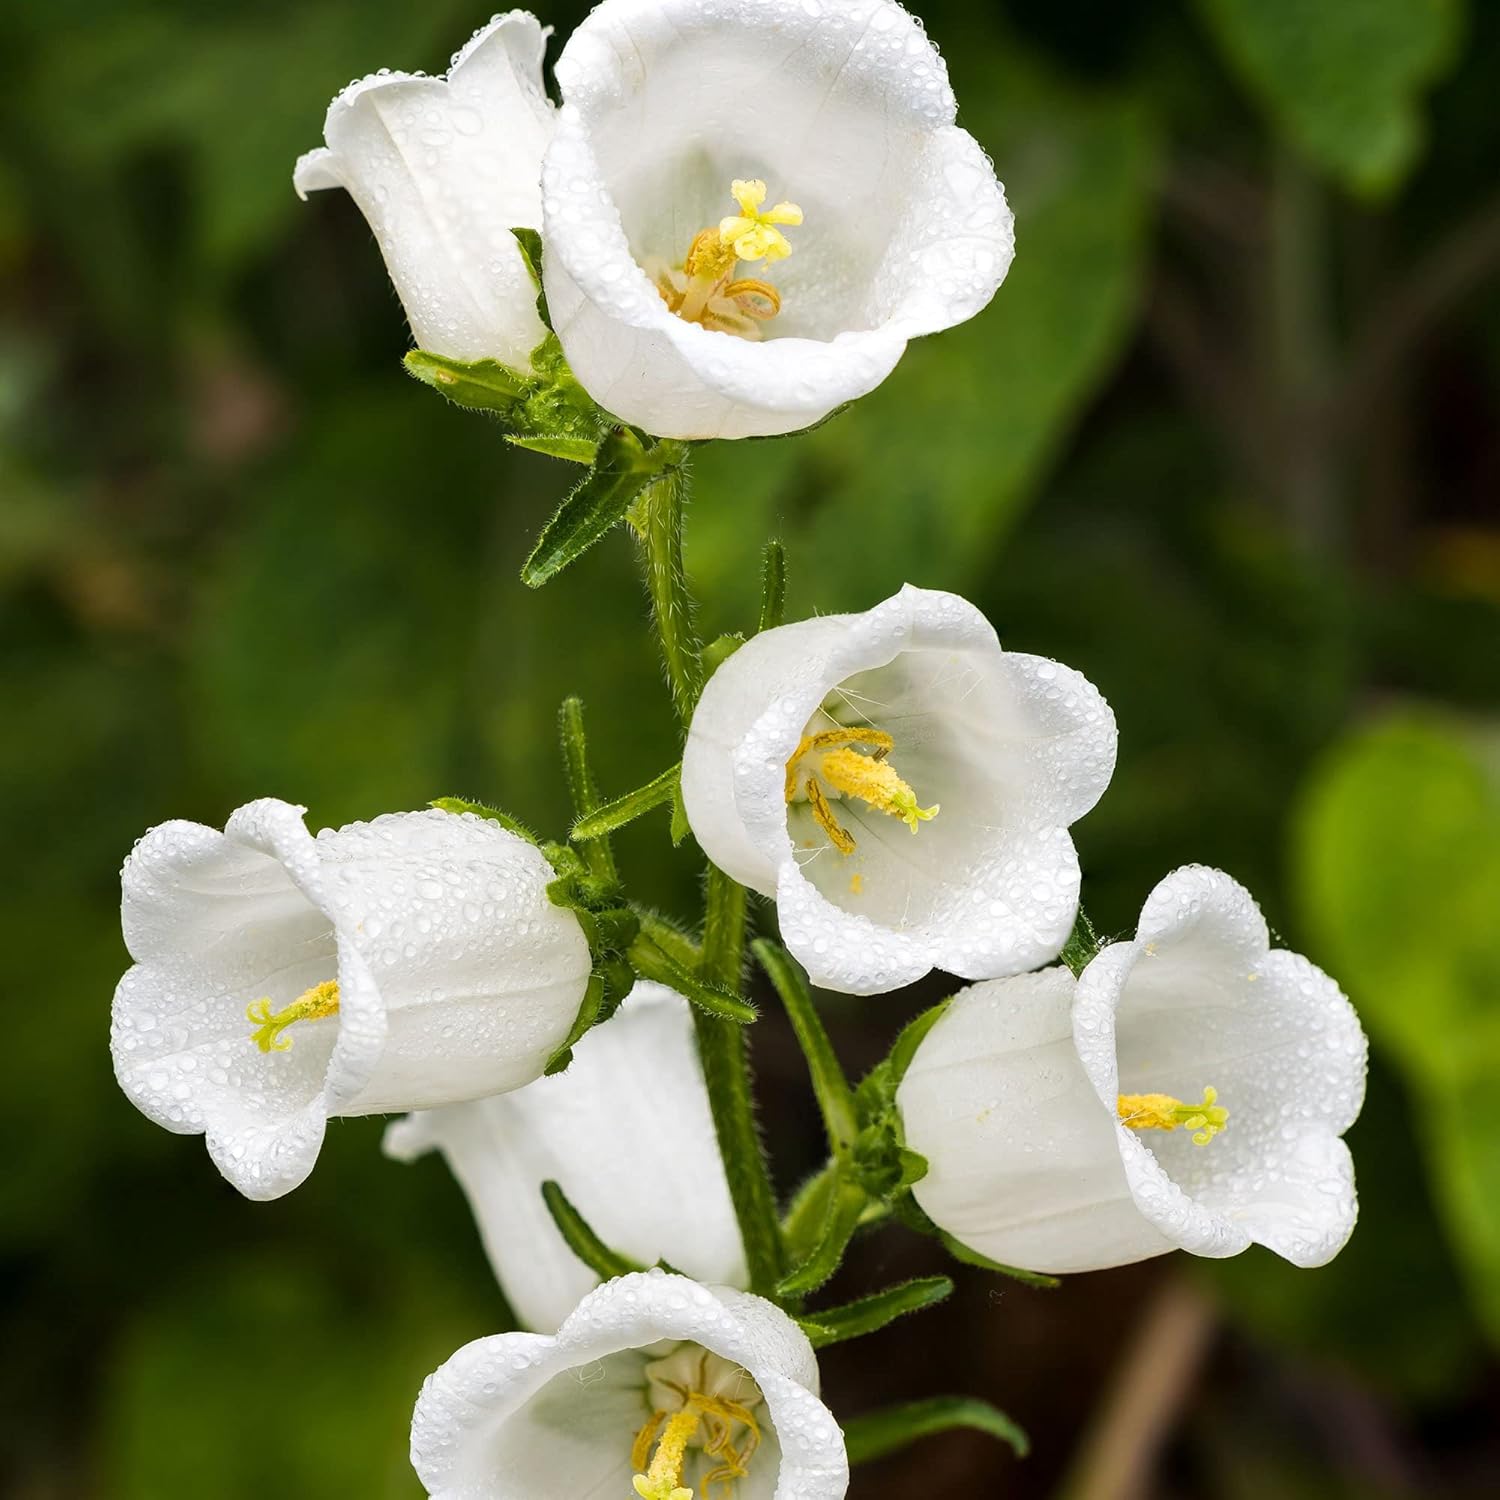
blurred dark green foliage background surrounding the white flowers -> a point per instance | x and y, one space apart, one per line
1228 442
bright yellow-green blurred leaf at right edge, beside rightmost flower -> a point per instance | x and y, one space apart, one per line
1399 854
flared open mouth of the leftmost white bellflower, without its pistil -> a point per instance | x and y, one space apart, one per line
217 923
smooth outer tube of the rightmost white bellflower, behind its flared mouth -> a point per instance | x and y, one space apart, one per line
1022 1160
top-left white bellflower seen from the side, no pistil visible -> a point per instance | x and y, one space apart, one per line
445 169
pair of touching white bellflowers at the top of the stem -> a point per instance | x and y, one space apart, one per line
674 115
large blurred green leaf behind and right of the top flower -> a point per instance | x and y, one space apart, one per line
917 482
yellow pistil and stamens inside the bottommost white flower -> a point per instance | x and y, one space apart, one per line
695 1412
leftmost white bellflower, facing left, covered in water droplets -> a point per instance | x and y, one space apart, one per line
283 979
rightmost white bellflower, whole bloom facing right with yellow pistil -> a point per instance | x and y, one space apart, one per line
1189 1091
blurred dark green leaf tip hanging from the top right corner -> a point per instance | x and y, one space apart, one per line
1342 79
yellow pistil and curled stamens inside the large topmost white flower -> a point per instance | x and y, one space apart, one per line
706 290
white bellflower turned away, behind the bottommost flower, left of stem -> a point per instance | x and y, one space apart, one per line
638 1159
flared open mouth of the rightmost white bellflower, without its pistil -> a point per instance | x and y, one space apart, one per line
1196 1000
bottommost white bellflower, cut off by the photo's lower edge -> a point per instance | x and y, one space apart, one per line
655 1387
